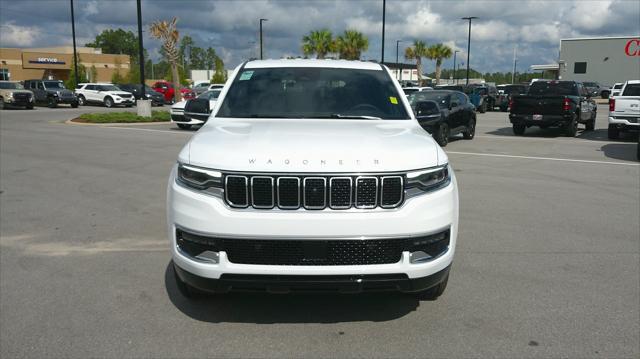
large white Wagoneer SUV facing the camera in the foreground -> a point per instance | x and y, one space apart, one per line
312 175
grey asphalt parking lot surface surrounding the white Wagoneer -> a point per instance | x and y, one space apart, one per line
547 263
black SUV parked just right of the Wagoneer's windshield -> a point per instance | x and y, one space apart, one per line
452 114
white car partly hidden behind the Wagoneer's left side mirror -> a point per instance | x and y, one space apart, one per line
187 113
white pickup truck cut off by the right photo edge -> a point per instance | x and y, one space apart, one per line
624 110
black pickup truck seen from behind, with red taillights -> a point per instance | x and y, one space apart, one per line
561 104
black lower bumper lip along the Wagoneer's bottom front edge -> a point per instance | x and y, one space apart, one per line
292 283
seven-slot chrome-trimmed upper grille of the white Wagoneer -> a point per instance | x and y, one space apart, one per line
291 192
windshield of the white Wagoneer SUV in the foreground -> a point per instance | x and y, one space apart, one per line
291 92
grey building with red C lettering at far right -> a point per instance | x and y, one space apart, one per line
606 60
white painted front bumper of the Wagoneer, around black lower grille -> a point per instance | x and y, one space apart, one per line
209 215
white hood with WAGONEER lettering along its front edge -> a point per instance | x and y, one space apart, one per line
325 145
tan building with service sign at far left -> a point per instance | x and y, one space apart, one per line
55 63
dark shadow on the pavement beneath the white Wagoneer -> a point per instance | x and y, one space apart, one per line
265 308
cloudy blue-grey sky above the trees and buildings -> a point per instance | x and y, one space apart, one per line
231 26
